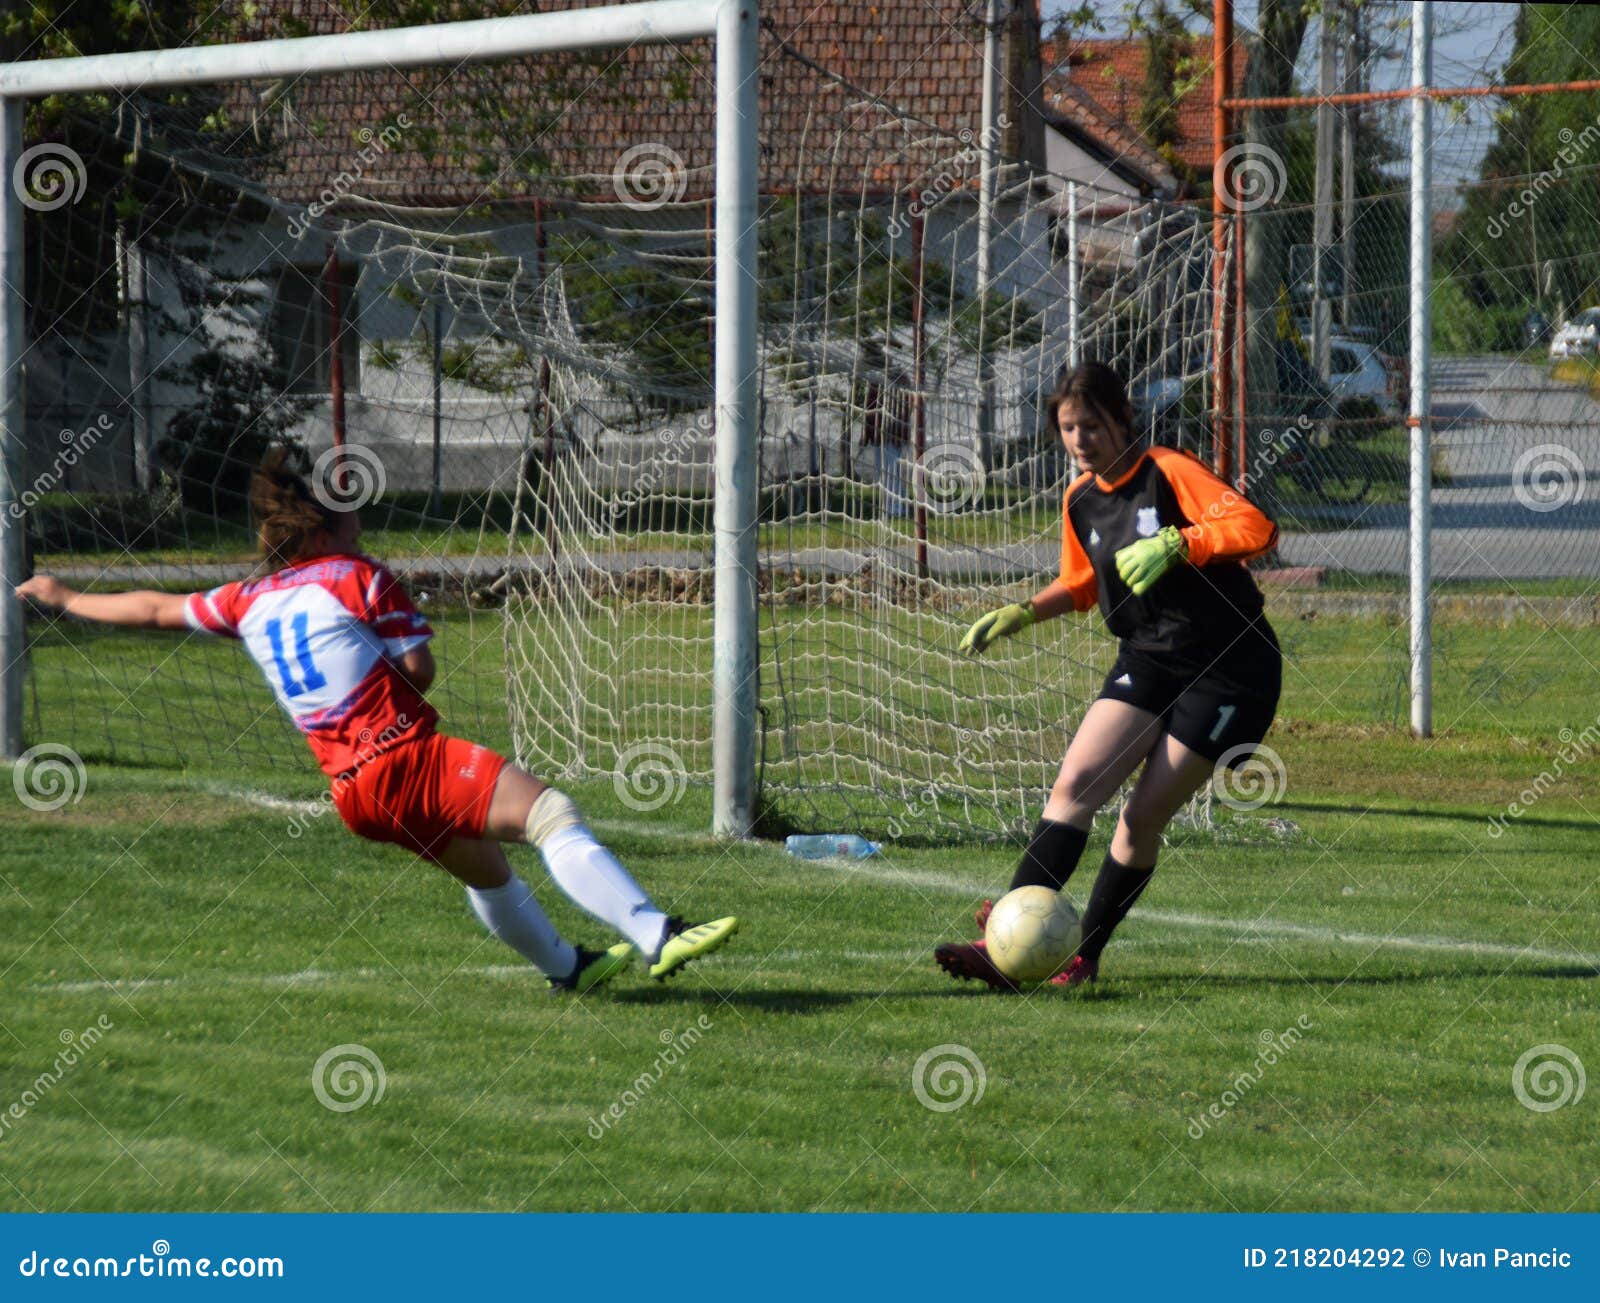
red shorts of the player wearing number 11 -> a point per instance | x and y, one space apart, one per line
422 795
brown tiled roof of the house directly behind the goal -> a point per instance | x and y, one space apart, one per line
847 97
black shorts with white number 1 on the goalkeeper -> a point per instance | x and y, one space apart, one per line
1220 716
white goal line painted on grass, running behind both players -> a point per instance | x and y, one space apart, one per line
1260 929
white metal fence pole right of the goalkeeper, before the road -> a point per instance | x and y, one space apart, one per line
1422 350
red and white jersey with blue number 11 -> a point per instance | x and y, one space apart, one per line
324 635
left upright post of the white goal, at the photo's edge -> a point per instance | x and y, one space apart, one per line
14 449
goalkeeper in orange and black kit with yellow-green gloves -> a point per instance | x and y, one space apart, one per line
1159 542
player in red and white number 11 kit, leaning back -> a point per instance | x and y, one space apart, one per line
346 654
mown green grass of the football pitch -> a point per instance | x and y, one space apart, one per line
1398 956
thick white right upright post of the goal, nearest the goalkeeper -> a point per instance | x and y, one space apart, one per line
735 654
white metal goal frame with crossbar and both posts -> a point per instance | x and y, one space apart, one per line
730 23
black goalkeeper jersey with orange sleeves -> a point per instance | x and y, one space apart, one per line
1198 617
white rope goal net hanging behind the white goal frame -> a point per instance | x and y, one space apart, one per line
502 313
